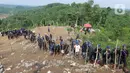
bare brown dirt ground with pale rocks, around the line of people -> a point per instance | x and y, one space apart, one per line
22 56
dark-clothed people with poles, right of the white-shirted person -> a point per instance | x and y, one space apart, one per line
107 55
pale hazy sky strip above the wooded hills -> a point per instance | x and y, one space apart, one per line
102 3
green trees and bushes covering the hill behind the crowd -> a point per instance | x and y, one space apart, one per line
112 26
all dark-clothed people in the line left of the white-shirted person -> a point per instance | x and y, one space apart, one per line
44 42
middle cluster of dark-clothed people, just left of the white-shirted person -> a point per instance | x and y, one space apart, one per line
54 46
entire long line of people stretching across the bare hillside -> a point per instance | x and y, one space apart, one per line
86 51
